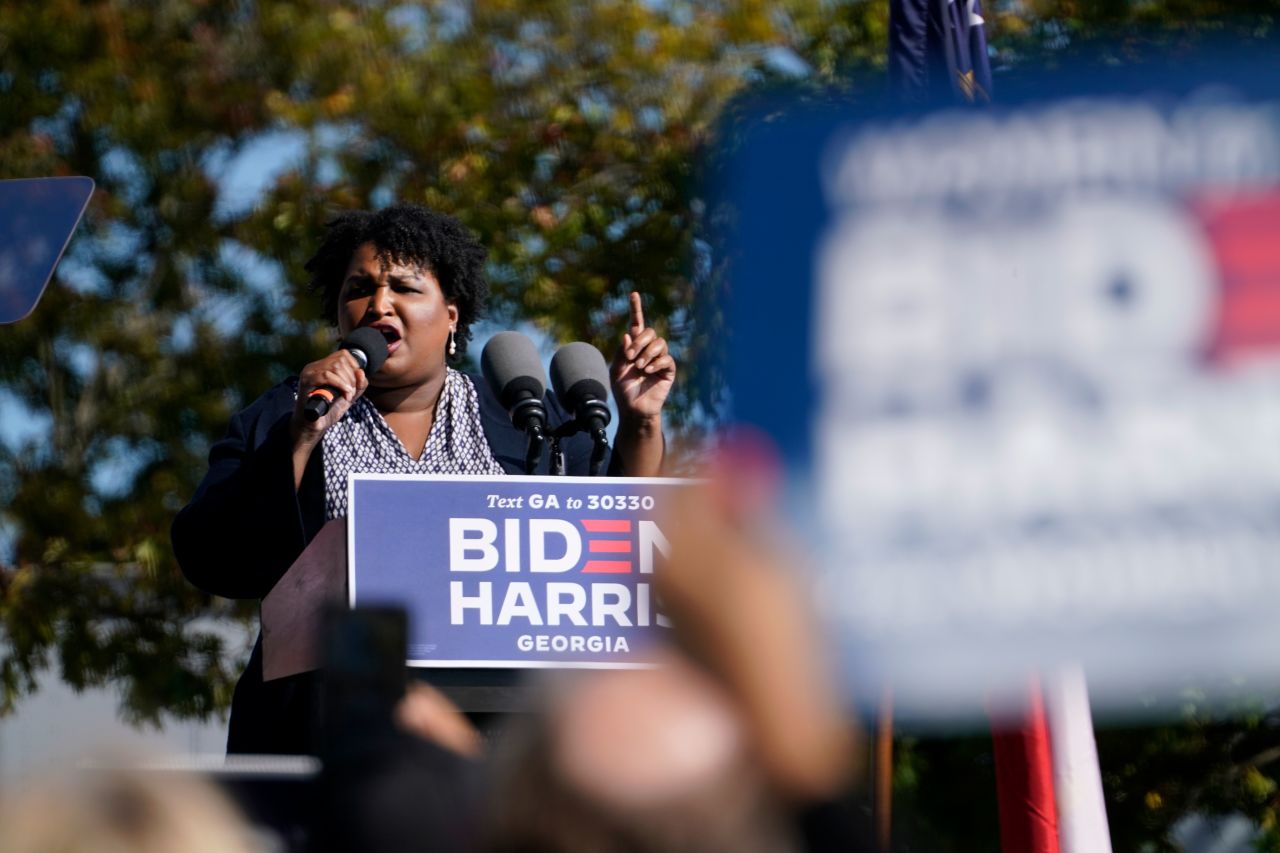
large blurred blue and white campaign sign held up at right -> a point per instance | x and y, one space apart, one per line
1025 367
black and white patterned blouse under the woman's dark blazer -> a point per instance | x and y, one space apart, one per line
364 444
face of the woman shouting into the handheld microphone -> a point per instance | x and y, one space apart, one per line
405 303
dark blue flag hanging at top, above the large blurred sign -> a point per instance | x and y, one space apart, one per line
939 49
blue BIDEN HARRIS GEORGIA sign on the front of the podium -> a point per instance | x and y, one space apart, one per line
513 573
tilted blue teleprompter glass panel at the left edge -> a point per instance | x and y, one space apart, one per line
38 220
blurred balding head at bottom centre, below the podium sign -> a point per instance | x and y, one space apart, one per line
652 760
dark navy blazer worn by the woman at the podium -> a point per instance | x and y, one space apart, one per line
248 524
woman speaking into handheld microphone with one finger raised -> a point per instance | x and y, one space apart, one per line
277 477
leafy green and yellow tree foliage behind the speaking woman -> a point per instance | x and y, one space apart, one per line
564 134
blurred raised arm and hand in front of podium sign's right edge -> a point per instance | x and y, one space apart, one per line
738 605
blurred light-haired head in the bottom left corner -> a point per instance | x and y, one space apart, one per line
122 811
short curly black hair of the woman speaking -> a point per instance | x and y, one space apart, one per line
405 235
